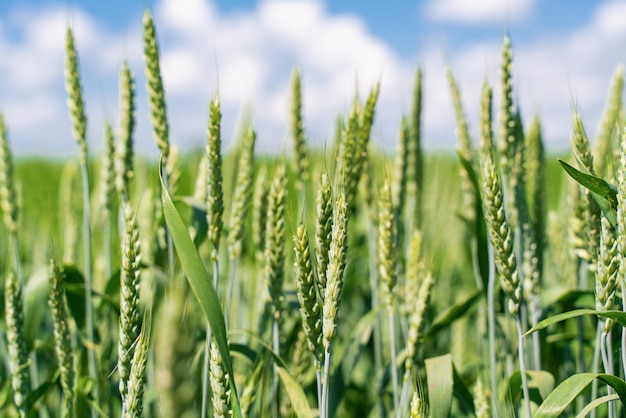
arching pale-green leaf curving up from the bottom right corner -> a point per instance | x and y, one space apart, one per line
568 390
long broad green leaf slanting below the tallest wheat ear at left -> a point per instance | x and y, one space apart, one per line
201 285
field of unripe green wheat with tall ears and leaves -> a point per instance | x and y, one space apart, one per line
345 282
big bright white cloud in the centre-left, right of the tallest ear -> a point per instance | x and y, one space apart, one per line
252 54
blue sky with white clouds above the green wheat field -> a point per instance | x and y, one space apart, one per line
565 52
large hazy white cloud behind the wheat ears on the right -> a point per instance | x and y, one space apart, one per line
552 77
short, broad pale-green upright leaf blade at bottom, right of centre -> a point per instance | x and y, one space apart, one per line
440 385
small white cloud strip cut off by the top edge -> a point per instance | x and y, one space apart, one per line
479 11
